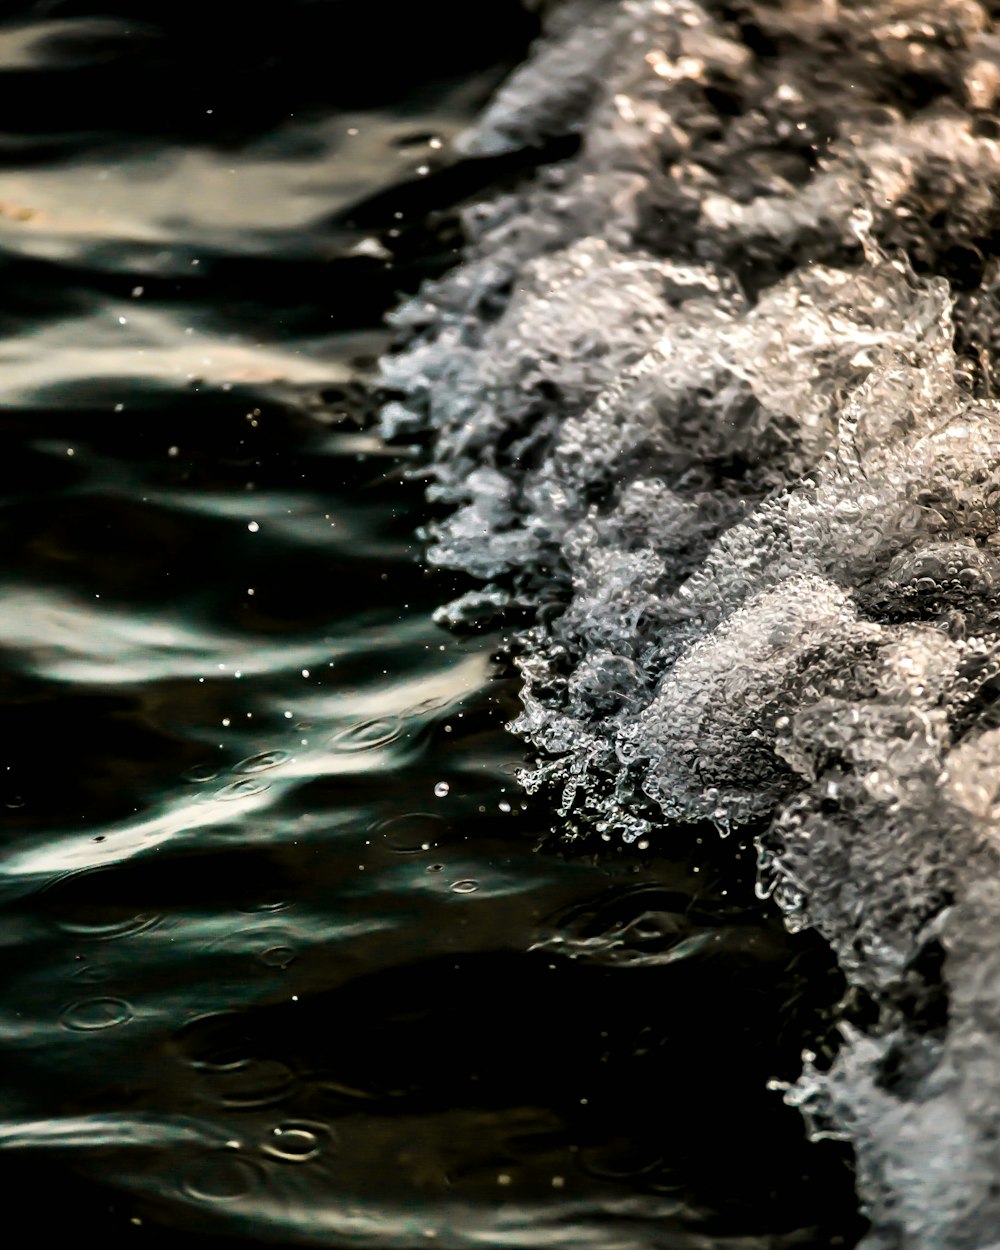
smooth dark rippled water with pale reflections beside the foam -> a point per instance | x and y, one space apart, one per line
288 957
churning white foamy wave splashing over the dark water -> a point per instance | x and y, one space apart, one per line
712 399
